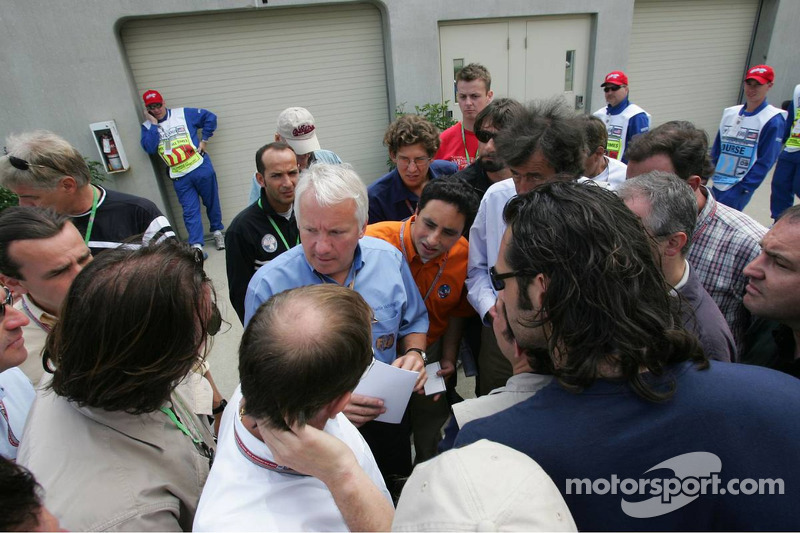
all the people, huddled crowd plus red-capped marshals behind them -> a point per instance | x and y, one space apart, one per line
634 334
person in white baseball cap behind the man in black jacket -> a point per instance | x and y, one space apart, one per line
296 127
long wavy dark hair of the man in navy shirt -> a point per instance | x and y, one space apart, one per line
606 304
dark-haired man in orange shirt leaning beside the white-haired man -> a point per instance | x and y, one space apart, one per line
433 244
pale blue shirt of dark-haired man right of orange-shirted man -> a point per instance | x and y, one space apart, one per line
485 237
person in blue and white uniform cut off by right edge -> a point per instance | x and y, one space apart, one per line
786 179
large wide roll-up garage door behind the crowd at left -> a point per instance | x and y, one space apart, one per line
248 66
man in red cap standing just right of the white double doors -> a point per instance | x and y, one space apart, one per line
624 120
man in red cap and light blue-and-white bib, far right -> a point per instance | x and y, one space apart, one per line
748 142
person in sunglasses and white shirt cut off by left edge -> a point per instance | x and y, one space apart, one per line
16 392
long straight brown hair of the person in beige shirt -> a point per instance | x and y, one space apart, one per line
133 325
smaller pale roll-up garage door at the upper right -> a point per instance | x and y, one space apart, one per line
688 57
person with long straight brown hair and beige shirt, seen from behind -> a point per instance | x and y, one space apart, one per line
112 440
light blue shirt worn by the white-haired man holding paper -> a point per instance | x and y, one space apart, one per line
379 274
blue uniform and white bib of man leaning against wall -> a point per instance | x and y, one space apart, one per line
175 140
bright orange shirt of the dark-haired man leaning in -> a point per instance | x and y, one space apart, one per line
448 293
